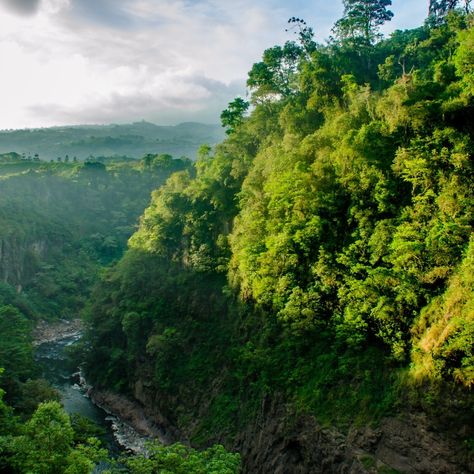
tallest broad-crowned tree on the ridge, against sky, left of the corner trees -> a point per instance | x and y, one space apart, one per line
362 19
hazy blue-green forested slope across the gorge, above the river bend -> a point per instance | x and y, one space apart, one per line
58 220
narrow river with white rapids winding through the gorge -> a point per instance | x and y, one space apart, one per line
53 361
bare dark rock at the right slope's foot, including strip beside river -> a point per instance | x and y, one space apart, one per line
279 441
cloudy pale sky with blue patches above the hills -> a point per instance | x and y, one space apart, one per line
67 62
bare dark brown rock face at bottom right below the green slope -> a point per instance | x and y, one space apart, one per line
278 442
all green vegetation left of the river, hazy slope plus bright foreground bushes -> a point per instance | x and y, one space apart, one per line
61 224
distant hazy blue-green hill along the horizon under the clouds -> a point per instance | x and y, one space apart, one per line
133 140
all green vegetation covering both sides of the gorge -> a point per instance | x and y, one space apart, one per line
321 256
